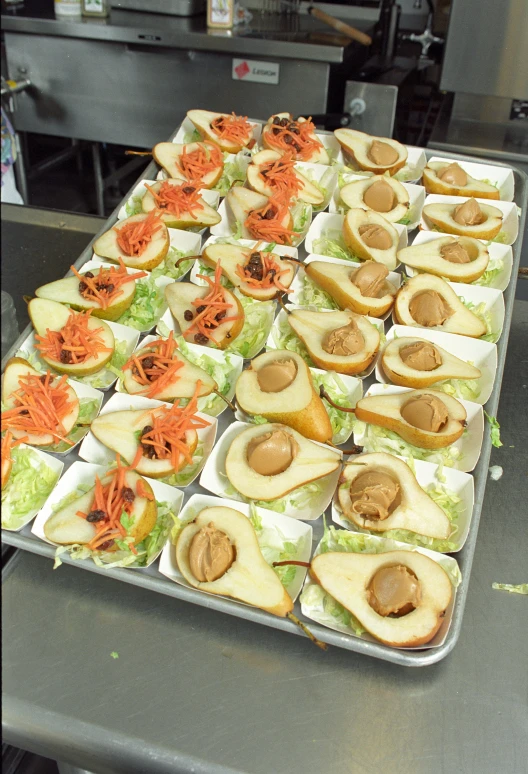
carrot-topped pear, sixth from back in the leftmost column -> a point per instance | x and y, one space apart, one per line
70 342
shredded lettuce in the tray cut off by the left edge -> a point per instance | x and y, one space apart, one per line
30 483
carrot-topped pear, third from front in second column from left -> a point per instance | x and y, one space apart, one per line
160 371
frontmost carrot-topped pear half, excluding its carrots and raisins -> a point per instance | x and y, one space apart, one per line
66 528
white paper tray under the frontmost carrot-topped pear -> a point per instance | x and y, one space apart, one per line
83 473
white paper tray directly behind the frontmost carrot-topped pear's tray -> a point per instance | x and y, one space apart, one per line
94 451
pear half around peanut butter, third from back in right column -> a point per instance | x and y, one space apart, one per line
427 257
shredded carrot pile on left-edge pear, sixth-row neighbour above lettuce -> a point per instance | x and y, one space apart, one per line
41 405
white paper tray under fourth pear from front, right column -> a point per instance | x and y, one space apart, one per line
481 354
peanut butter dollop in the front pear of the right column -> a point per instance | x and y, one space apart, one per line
394 591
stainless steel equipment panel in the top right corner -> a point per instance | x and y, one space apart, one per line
486 50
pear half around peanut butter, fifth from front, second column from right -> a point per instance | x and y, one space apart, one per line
335 279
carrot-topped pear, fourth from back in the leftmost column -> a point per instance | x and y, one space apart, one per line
141 242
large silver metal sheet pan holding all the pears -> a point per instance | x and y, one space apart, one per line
151 579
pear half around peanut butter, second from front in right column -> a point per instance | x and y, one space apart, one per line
416 511
